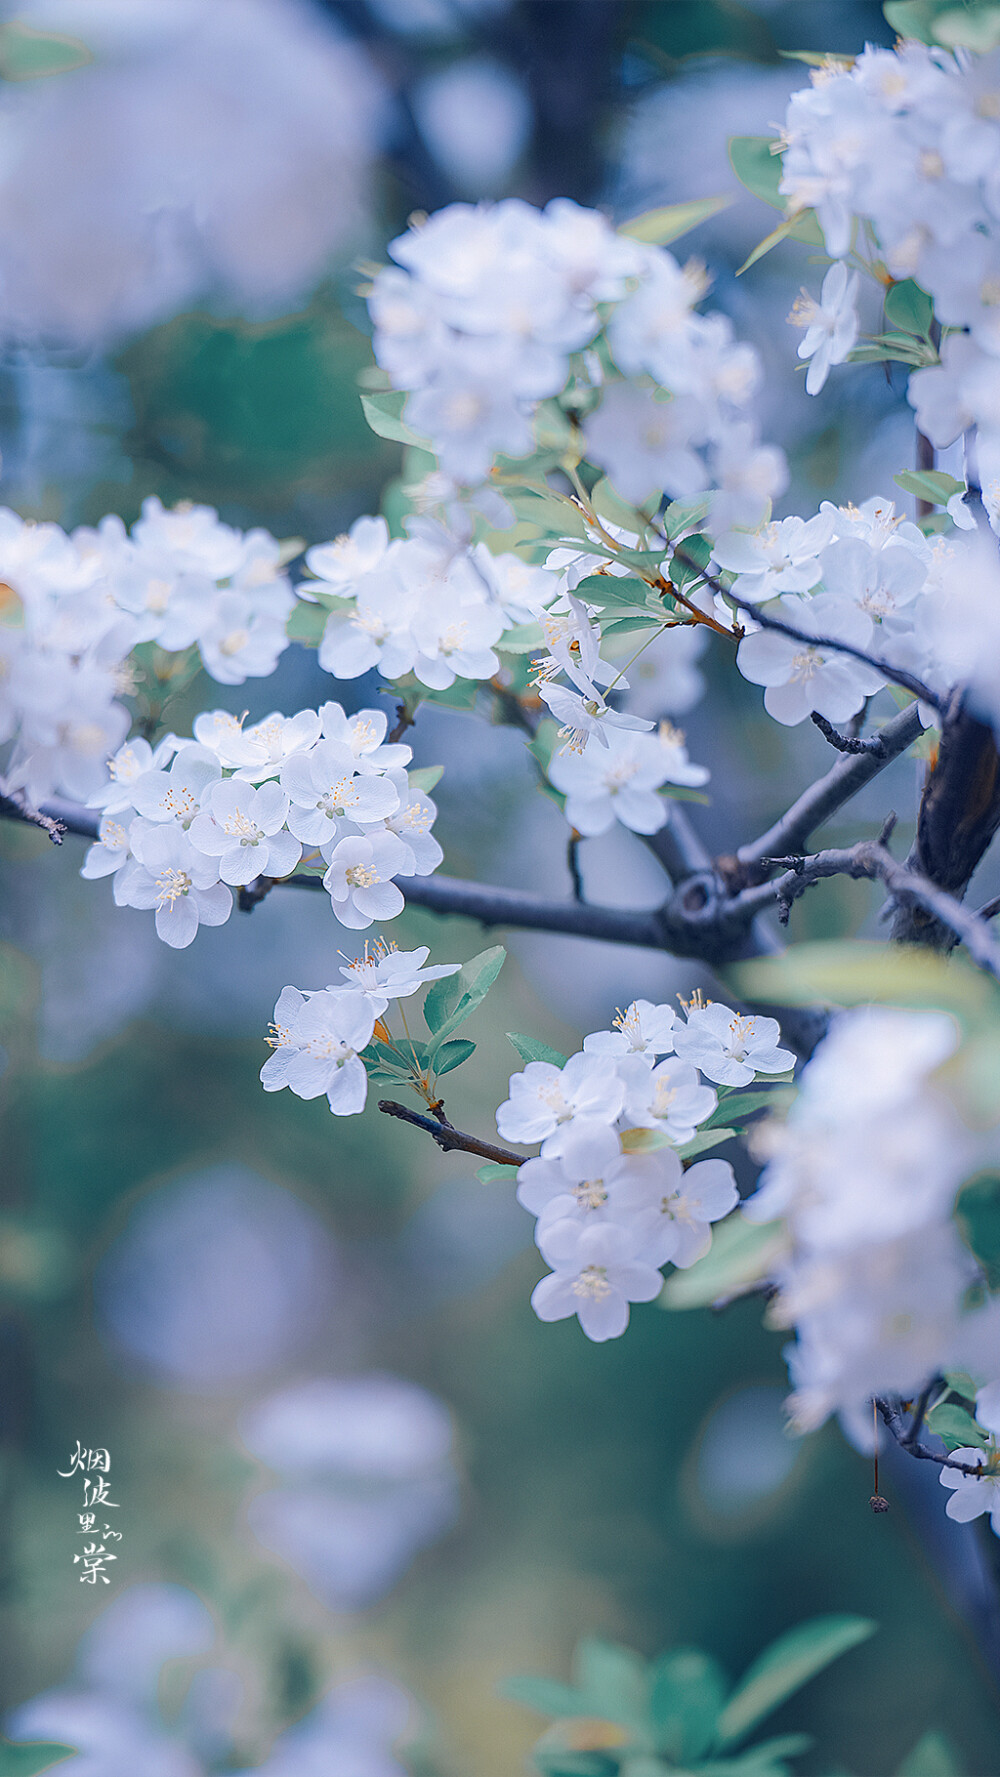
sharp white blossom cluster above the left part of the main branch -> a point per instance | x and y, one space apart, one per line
196 818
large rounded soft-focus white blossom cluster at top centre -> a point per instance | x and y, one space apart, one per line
495 308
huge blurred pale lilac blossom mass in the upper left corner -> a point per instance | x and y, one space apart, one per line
210 148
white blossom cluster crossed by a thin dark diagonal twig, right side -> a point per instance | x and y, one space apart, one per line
864 577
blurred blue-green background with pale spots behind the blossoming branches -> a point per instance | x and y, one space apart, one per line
340 1440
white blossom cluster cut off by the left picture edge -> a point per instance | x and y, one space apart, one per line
75 607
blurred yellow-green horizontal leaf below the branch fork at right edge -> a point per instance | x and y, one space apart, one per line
859 973
